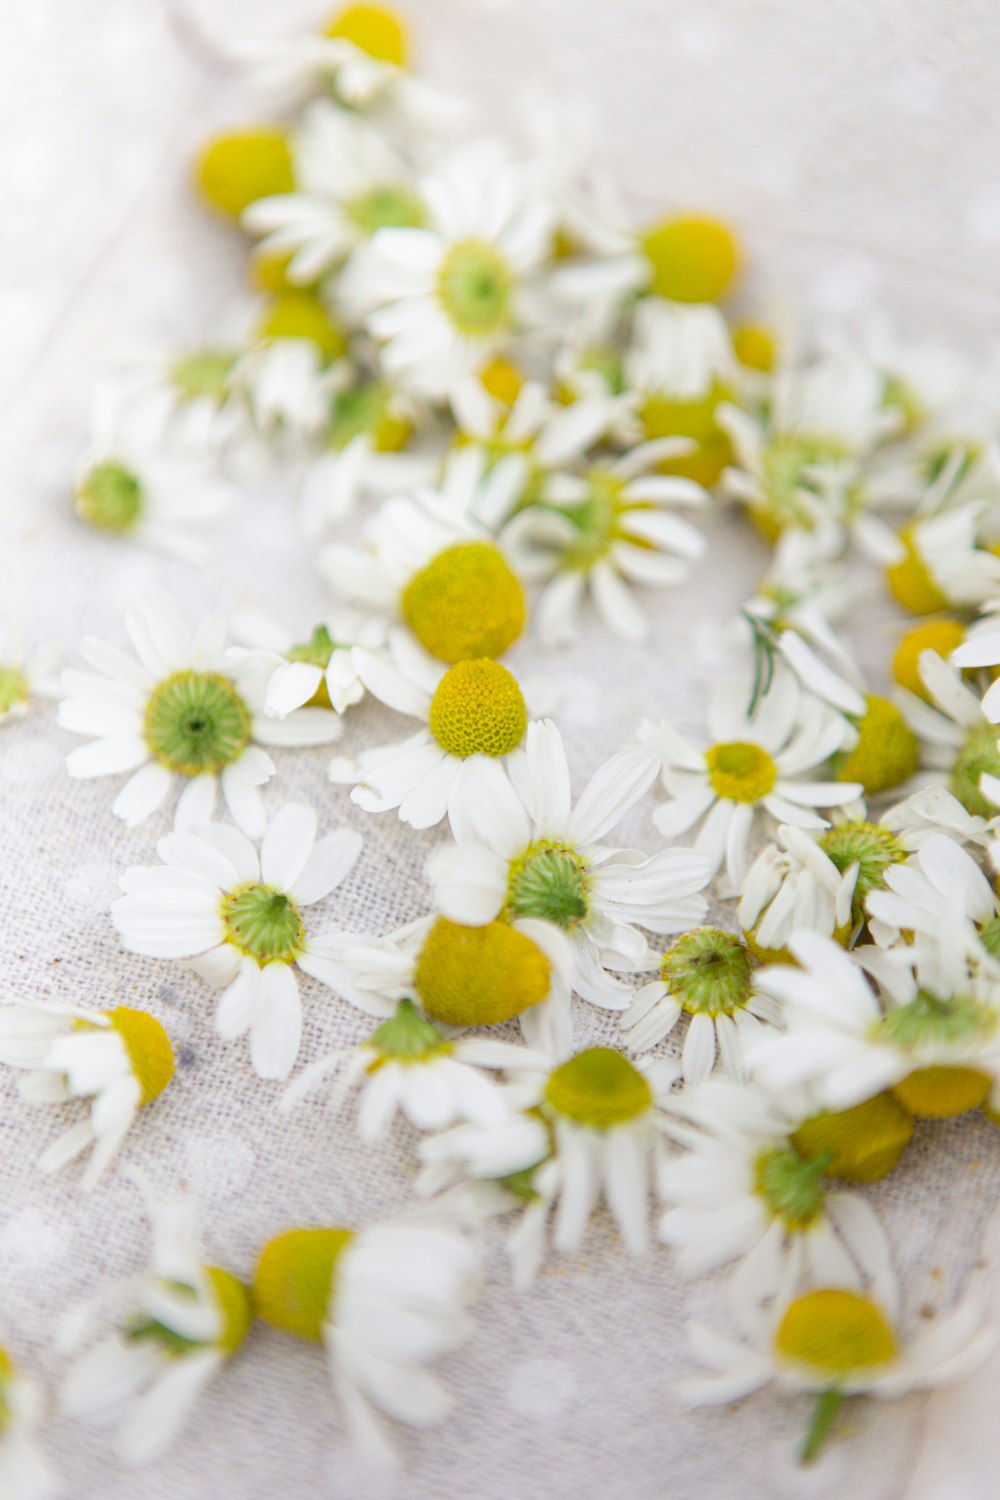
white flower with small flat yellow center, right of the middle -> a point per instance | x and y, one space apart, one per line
759 764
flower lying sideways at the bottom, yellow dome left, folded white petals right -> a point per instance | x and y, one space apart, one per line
385 1303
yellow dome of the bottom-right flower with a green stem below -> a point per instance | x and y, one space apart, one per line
836 1334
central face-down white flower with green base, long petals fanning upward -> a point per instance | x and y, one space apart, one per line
525 851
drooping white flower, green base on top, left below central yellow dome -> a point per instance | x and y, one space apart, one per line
407 1066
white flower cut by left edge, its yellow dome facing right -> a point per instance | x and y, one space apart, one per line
119 1060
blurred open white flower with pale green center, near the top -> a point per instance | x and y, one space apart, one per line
445 299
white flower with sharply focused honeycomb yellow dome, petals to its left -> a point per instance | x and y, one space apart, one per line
475 719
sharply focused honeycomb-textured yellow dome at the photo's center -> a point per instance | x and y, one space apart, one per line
479 710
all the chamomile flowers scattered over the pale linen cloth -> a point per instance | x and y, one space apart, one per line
503 403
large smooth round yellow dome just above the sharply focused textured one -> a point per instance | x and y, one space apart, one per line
466 604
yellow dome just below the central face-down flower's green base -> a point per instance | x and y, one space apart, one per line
479 976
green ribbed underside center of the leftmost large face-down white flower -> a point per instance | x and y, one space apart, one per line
196 722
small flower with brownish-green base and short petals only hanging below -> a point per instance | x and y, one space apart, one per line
705 976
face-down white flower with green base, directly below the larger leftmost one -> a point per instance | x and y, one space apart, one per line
239 920
